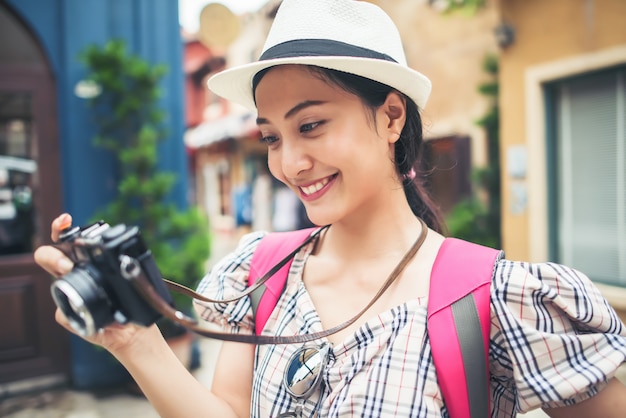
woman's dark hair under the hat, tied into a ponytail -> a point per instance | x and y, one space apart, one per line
408 149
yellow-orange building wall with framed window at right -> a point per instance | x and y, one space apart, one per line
563 145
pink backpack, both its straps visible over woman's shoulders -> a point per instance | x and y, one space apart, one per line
458 313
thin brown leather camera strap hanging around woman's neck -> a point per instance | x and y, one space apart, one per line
143 286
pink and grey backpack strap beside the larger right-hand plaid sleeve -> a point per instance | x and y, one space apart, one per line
459 322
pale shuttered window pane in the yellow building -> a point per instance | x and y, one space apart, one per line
591 175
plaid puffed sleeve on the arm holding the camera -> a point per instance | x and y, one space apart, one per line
227 279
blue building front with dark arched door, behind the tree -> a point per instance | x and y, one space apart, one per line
48 163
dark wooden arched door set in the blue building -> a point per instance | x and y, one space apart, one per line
31 343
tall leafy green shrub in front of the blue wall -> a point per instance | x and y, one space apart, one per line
131 124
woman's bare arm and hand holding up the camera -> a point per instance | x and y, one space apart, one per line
168 385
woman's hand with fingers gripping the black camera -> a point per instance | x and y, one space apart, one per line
116 338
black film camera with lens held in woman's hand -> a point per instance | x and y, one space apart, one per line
99 290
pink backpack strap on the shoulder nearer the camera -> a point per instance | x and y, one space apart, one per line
272 248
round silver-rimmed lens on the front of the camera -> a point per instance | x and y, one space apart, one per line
83 301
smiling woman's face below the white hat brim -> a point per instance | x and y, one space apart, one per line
325 145
